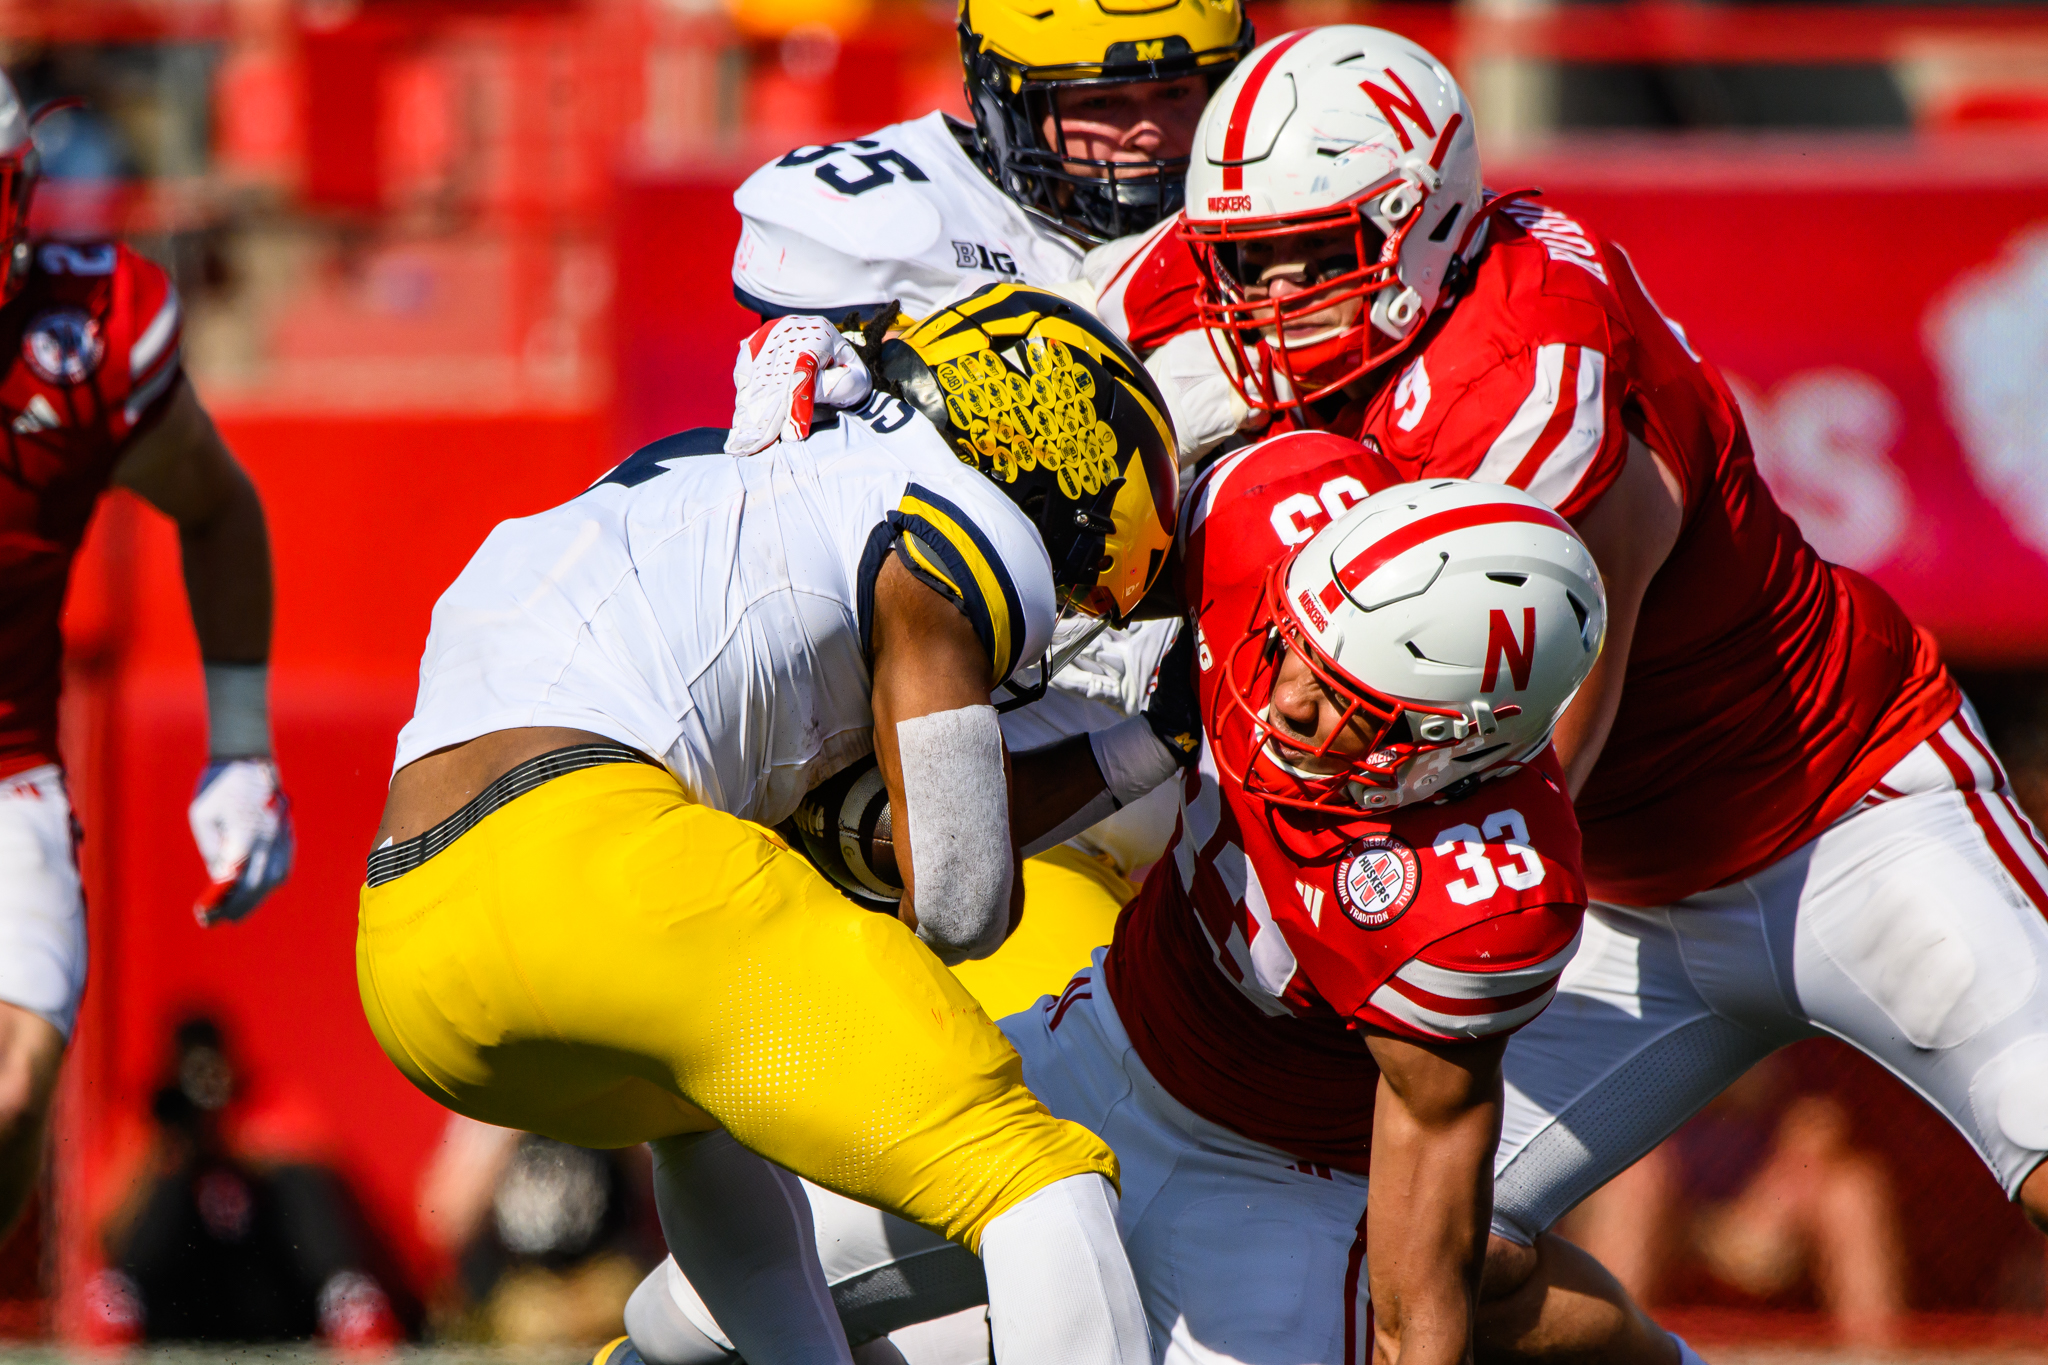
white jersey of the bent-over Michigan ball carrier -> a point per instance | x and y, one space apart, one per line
714 611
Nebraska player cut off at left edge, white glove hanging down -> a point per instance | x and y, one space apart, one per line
93 396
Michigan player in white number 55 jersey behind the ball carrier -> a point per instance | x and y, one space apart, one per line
1084 120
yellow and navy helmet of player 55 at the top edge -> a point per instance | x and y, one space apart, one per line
1019 52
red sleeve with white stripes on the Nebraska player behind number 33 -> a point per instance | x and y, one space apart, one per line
1545 421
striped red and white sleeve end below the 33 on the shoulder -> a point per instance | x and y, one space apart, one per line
1486 979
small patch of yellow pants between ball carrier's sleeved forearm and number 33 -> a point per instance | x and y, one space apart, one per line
1070 912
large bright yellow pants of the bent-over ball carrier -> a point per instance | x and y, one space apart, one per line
605 963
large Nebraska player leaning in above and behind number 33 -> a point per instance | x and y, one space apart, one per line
1793 822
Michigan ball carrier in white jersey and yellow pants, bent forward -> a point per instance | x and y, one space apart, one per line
577 920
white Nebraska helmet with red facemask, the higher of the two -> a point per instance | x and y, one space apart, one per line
1330 130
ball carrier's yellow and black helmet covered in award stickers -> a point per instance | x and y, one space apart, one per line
1058 412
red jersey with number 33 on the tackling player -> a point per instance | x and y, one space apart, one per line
1263 942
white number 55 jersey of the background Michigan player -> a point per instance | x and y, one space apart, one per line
902 214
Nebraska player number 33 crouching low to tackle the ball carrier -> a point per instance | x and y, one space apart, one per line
1373 883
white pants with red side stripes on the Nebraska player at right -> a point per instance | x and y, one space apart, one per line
1916 928
